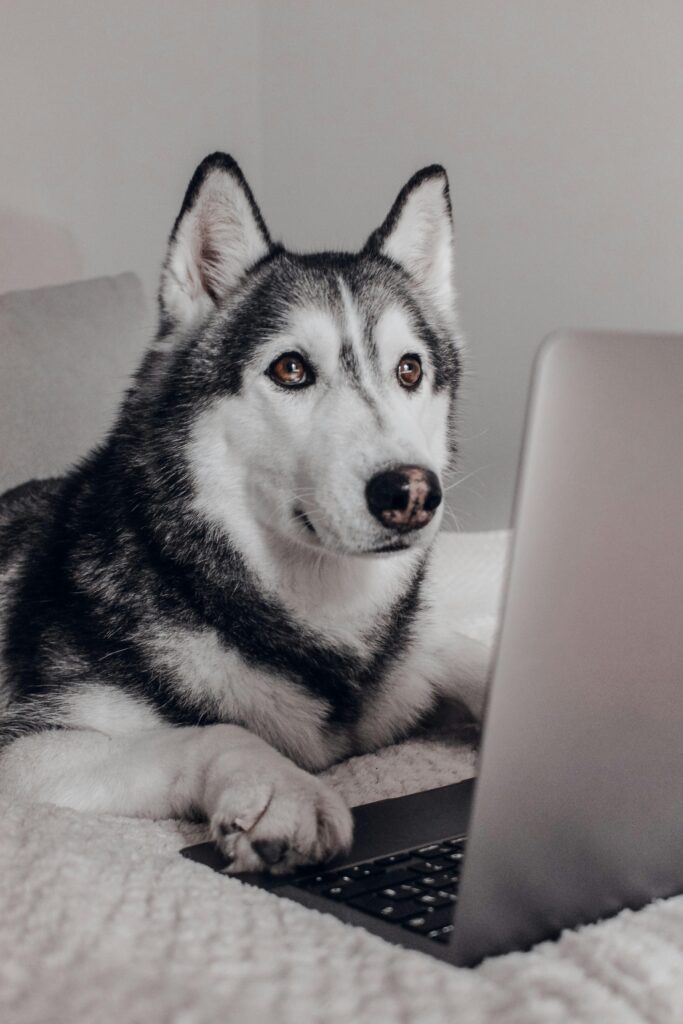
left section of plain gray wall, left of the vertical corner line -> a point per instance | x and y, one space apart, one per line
106 109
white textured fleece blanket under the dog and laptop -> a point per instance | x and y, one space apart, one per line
101 920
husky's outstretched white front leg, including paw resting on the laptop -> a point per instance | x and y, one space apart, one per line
264 810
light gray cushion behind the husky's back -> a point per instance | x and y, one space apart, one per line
66 357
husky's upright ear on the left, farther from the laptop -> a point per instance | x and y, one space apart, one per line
219 236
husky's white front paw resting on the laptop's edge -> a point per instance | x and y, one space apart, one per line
278 823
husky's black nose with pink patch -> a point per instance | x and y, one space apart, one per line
404 498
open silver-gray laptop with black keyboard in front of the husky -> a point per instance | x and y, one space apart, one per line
577 812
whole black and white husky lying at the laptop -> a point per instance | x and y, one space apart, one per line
240 587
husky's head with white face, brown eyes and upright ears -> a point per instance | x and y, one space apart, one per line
324 385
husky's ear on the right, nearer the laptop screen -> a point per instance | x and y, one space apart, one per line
418 236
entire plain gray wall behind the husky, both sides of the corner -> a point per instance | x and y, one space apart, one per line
561 123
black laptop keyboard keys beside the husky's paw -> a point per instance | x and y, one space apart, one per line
417 888
